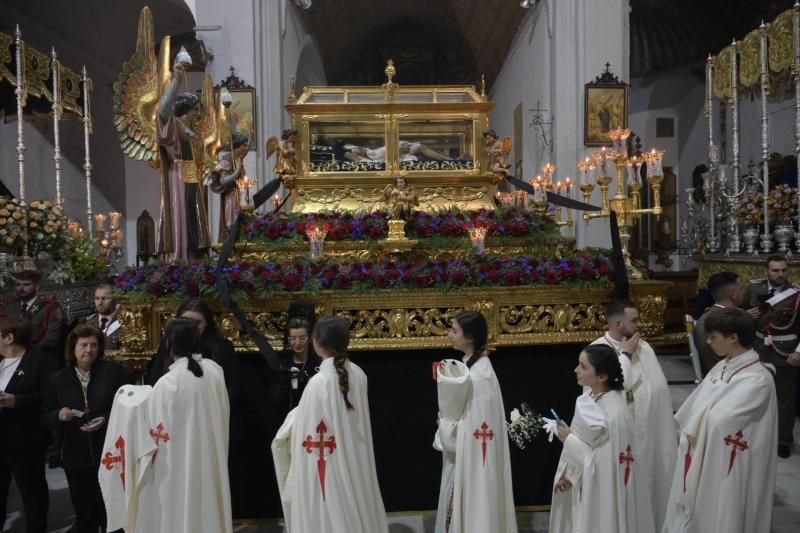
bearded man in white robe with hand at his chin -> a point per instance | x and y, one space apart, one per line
648 399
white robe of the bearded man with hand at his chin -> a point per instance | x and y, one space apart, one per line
653 420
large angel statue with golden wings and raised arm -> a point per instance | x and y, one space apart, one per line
179 132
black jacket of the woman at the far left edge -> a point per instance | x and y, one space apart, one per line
19 426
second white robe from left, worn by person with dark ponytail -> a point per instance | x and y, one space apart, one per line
185 488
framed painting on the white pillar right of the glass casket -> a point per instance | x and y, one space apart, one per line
605 108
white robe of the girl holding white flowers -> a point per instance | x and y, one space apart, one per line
609 494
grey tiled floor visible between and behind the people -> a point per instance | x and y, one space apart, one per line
786 512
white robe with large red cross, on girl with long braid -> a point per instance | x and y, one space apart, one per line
324 460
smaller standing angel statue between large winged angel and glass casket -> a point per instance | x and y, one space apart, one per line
224 180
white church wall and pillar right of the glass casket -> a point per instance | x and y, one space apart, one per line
558 48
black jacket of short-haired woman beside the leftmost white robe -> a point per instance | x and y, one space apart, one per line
81 449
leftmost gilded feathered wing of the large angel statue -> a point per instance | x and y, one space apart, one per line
136 94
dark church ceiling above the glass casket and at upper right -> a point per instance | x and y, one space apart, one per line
455 41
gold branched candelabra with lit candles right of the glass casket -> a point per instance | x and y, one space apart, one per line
625 204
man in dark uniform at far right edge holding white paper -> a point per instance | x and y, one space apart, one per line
772 301
